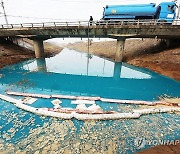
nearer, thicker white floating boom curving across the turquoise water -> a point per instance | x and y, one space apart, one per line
69 113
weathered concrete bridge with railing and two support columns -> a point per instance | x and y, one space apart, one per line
119 30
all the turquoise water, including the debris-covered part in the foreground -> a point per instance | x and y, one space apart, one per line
75 73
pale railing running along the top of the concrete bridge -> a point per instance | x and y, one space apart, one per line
86 23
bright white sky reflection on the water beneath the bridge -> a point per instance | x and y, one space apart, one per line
72 62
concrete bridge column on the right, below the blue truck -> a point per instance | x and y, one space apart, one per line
120 49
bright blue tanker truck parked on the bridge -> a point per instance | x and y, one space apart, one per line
164 12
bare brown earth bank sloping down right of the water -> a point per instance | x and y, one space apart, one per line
148 53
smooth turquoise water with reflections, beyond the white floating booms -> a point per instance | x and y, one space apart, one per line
71 72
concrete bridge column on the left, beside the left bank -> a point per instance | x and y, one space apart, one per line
38 48
